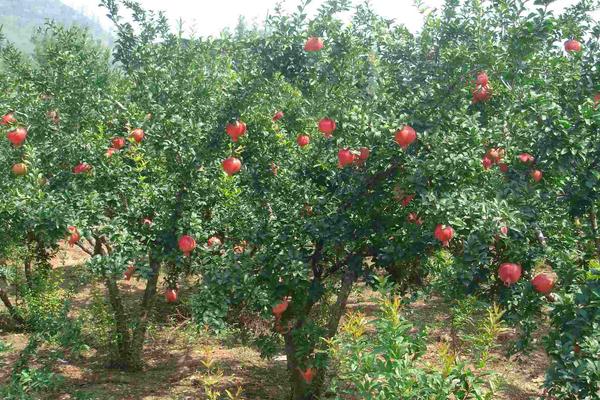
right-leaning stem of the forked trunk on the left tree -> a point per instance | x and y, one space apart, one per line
139 333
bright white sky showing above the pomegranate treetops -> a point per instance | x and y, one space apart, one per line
209 17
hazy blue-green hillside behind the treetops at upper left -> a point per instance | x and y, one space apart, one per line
20 18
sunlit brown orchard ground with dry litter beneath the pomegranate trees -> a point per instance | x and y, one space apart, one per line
181 363
